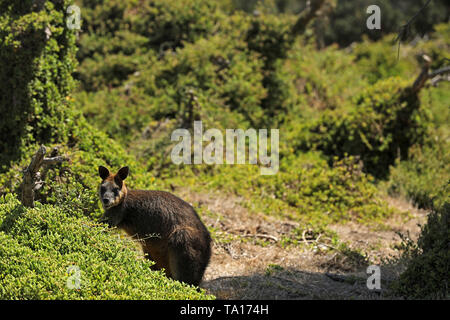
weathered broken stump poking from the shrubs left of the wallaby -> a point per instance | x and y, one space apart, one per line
32 177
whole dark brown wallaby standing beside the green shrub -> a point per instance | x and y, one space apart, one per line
171 232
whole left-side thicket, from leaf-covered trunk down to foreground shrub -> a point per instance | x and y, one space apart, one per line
38 245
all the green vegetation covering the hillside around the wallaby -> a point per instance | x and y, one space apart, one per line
352 129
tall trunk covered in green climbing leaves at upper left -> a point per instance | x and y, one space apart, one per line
37 57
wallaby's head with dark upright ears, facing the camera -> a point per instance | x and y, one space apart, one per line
112 189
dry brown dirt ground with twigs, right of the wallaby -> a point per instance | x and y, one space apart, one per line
250 262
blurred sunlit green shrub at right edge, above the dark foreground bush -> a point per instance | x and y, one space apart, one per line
421 177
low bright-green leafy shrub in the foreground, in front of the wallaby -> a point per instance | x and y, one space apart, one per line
39 245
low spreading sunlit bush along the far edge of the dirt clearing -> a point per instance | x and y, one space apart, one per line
305 189
